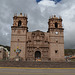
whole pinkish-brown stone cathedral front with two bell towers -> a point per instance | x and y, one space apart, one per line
37 45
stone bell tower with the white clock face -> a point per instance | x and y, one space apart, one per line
56 38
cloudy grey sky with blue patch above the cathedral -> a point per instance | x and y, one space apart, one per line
38 14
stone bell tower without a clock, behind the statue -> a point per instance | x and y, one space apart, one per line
18 36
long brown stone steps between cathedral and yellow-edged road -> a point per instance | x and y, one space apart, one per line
37 64
